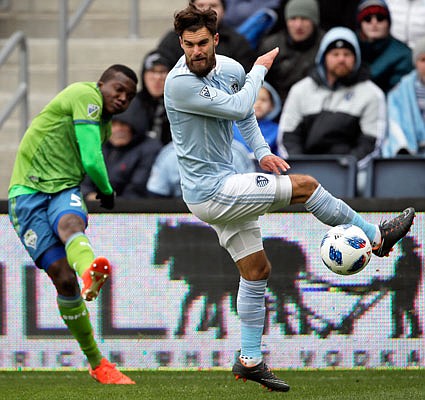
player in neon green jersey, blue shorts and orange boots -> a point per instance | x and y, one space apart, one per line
62 144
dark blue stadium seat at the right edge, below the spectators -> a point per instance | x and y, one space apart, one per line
399 177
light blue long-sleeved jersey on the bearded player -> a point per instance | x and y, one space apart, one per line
201 111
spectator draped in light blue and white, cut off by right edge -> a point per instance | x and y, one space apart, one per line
406 110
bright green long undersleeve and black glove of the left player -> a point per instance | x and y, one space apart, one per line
90 145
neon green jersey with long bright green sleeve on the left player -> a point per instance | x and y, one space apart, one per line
53 153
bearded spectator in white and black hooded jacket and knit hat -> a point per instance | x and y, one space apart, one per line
337 109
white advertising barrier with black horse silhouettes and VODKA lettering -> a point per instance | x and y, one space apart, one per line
171 299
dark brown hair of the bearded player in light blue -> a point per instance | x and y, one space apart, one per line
192 19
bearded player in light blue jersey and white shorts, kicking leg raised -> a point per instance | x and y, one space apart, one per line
204 94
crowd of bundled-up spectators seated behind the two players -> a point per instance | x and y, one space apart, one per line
349 79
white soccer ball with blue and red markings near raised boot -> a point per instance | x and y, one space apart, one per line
345 249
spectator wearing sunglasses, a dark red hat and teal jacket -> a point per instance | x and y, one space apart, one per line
388 58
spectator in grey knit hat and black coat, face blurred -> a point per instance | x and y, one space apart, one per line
298 41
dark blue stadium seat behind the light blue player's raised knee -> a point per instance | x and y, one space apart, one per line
337 174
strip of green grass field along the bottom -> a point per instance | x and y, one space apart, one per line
181 385
